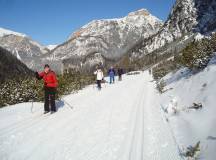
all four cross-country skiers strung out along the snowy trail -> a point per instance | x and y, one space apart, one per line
51 84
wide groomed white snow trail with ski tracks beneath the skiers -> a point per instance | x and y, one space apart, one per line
121 122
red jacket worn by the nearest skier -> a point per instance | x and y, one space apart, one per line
49 78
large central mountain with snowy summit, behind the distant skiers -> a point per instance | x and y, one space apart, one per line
103 41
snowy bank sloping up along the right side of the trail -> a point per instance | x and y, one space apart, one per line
190 125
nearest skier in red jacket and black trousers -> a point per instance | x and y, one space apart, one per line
50 85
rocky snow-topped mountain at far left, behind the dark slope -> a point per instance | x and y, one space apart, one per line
30 52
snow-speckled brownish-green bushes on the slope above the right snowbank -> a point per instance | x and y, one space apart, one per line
195 56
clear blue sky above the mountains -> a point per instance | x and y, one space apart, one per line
52 21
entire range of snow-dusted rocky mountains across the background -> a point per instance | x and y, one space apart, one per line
107 41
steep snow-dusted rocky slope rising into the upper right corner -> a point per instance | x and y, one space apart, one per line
187 18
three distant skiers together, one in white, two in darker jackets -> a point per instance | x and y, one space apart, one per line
111 73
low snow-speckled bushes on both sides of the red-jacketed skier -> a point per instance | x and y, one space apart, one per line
25 89
